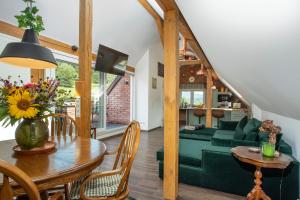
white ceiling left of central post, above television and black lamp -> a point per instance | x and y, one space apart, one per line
121 24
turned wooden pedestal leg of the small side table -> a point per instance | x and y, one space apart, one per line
257 193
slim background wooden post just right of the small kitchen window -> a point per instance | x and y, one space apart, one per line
209 84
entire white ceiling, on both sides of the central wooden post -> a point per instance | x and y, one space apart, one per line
253 44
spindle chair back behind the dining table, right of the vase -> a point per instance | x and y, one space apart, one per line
62 124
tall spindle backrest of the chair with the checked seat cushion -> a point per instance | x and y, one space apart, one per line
126 153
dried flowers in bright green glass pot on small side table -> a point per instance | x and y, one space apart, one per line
268 148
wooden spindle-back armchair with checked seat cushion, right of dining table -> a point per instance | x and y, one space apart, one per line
112 185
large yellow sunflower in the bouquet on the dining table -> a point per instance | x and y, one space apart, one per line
20 105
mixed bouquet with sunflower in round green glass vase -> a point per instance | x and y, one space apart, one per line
28 104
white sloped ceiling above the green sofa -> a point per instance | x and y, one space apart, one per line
254 45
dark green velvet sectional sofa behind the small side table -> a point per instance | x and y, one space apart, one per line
210 164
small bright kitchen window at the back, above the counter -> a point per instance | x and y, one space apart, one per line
192 97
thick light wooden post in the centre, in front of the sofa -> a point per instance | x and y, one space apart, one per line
171 104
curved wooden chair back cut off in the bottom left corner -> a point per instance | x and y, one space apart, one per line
12 172
